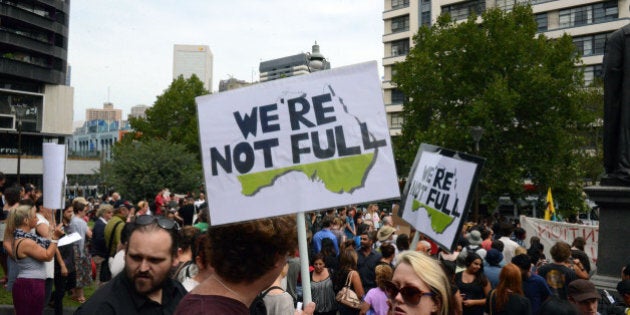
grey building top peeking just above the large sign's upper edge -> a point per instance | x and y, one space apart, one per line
289 66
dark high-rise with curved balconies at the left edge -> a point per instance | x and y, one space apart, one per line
35 104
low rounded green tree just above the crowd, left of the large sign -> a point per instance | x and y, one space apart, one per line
140 169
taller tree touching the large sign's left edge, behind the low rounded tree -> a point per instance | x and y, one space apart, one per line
173 116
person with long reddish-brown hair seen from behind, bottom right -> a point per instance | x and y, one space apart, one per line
508 297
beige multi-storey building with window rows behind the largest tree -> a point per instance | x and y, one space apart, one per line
587 21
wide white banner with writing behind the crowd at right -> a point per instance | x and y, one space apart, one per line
550 232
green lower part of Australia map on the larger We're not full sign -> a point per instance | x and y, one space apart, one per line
338 175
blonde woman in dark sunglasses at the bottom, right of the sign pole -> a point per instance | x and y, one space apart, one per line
419 286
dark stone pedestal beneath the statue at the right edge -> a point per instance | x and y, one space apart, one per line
614 216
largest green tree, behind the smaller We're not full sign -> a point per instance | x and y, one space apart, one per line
521 87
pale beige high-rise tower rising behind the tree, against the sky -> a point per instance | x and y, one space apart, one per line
193 59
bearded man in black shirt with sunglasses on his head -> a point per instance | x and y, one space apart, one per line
144 286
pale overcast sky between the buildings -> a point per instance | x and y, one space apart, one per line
121 51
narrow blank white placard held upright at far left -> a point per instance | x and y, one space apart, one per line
54 159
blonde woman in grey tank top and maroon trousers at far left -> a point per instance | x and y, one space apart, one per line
30 252
